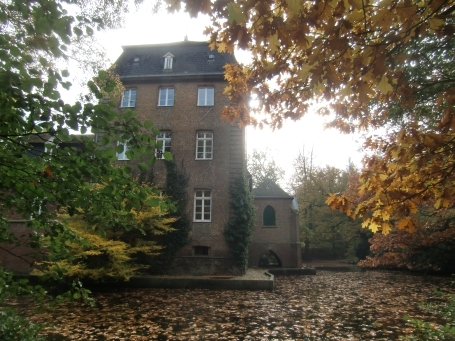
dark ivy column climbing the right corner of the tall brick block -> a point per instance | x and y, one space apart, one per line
238 232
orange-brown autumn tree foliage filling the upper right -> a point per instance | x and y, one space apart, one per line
368 60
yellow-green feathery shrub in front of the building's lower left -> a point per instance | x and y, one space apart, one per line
107 252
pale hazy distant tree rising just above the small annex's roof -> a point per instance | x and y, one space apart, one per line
261 165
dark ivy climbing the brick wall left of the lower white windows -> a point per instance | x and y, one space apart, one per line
176 190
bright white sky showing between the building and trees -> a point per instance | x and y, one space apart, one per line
329 146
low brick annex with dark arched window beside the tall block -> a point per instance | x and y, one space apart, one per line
276 240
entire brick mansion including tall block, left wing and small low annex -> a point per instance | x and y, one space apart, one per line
179 87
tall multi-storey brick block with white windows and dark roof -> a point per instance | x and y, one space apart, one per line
179 86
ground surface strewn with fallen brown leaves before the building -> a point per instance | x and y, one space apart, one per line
328 306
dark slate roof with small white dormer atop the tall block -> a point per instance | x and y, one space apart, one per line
191 58
